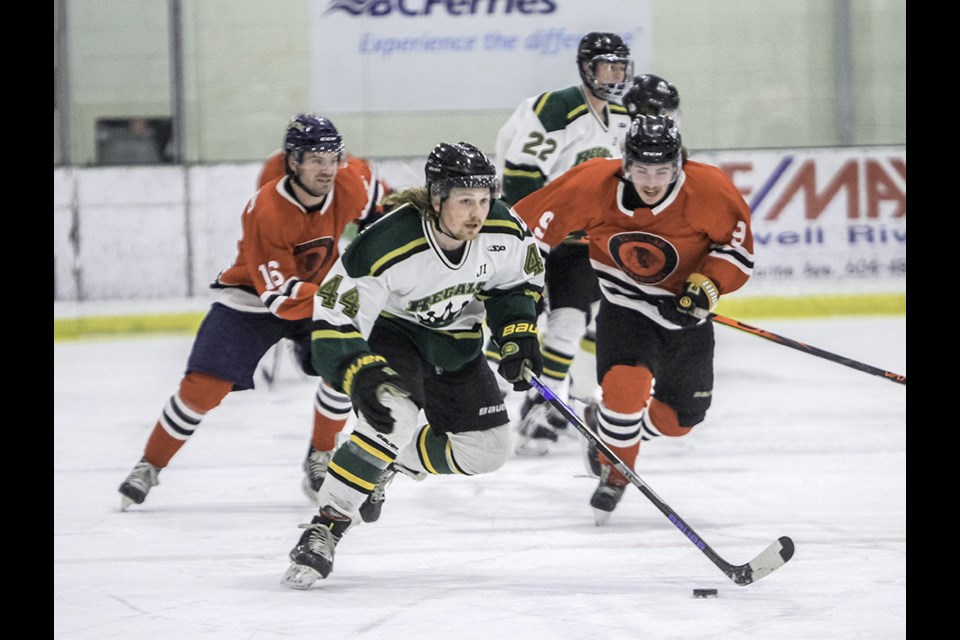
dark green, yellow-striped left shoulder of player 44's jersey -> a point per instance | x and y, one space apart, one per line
390 240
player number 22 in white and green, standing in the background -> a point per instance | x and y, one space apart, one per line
546 136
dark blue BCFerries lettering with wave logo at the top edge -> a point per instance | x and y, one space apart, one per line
380 8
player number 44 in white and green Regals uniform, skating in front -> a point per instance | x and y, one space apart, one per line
399 328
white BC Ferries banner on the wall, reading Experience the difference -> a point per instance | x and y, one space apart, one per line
438 55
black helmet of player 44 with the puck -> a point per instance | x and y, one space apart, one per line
459 165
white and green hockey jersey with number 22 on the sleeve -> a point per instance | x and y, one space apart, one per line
549 133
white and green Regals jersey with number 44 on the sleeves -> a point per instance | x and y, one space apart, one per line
396 273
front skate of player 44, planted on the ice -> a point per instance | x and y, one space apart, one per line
312 558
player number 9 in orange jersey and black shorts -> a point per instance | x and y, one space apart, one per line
665 236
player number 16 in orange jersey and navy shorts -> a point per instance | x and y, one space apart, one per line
291 228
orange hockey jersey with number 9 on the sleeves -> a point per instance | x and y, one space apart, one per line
642 255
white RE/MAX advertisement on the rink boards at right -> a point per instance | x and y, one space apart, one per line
824 219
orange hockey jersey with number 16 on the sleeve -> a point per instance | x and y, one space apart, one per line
285 250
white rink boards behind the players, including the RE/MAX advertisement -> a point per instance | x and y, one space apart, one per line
825 221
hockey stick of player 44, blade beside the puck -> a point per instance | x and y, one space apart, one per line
770 559
